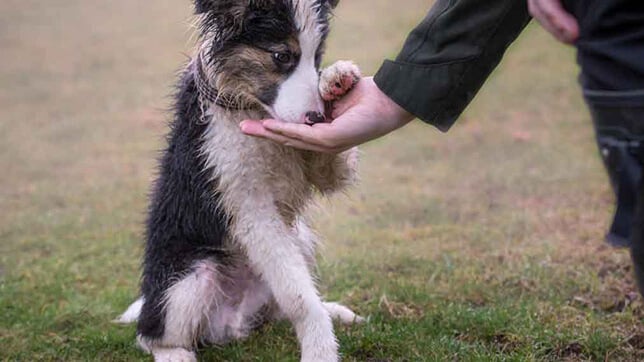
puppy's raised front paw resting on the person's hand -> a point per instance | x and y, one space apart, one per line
338 79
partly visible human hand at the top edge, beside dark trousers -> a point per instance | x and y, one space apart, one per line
552 16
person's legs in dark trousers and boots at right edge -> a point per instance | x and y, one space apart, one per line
610 49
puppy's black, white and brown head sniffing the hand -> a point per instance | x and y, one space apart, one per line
267 53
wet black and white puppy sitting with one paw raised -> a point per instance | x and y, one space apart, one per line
227 244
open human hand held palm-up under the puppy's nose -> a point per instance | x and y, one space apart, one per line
364 114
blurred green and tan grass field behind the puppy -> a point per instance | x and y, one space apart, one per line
483 244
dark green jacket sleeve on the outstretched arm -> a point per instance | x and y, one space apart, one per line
447 58
